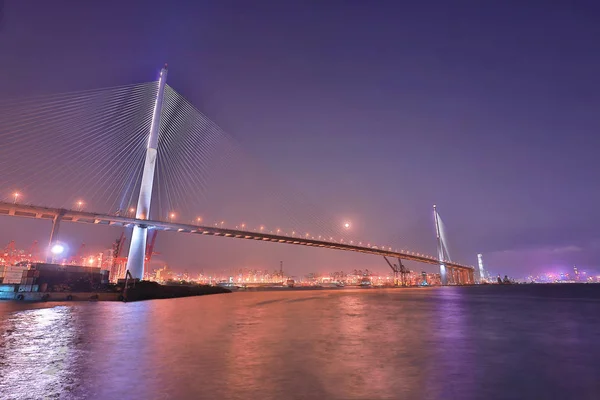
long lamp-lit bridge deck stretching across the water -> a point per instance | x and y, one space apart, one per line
457 273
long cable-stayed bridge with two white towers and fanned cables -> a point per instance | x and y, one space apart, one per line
126 148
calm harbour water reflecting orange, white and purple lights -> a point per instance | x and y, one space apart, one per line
517 342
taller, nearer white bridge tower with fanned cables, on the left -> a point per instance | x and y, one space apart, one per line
137 248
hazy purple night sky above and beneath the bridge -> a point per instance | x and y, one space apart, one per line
381 108
